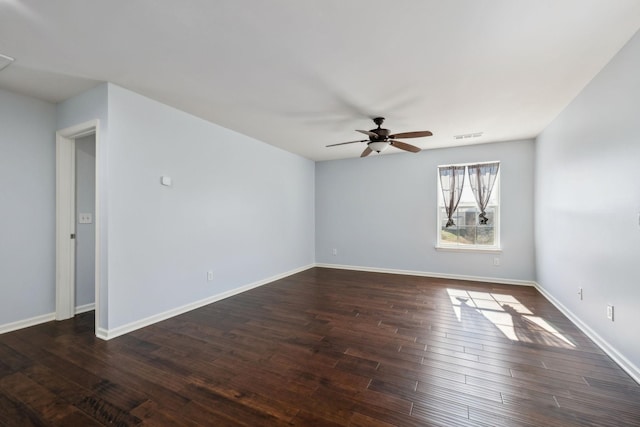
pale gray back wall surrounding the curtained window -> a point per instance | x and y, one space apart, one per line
381 212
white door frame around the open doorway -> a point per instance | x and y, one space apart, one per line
65 218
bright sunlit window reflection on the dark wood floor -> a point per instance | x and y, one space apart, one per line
508 315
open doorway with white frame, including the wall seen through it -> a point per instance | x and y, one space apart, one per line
77 216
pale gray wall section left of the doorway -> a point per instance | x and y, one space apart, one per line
27 207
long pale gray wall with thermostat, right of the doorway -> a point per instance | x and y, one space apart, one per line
238 207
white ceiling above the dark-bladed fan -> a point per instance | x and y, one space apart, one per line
303 74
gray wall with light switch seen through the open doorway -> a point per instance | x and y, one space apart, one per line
85 233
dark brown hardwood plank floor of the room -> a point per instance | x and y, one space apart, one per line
325 348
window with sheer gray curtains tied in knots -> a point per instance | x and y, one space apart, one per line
466 229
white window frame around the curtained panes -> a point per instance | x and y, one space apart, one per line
496 194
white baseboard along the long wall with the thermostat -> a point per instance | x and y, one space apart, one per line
107 334
